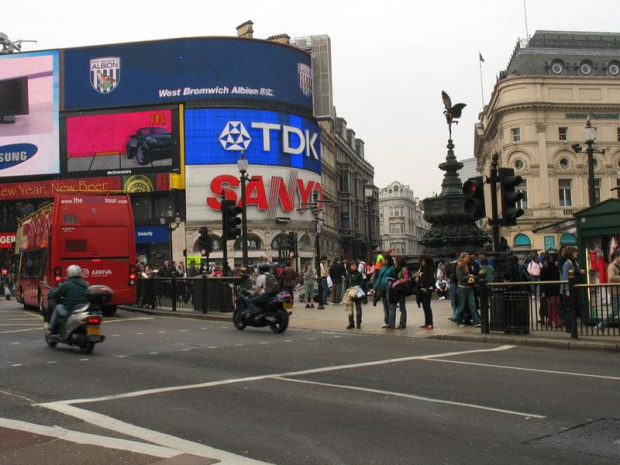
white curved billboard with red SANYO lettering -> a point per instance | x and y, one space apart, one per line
271 192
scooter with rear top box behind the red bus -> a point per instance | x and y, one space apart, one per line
82 328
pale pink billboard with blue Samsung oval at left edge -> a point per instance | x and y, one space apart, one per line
29 114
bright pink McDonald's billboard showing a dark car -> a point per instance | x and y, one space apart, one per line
121 143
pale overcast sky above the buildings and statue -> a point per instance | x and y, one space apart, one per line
390 59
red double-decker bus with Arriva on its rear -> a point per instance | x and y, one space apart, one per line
95 232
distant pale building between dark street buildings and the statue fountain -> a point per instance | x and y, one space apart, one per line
402 223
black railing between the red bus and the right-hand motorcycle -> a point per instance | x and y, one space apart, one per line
201 294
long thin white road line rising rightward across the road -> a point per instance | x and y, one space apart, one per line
274 375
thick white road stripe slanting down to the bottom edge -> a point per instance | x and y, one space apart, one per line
166 440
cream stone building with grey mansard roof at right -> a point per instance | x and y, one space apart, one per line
537 112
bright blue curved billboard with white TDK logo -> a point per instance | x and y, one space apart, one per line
218 136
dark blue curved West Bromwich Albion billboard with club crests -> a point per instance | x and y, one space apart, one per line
178 70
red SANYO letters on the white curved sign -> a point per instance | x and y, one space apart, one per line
256 195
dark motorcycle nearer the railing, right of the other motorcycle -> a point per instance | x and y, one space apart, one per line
273 313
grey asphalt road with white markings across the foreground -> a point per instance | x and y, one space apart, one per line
204 389
